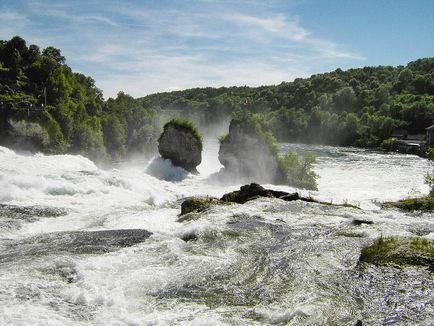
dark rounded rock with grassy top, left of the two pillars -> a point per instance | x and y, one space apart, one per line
181 143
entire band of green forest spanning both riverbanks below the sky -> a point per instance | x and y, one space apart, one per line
42 101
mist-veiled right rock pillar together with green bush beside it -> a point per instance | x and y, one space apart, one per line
248 153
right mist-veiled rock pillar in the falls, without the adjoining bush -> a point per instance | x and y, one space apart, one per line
246 155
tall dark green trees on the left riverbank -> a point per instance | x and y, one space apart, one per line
40 88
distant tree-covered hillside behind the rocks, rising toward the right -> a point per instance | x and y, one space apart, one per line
354 107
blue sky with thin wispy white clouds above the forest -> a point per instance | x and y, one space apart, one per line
142 47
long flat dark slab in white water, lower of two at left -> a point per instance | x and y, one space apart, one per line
77 242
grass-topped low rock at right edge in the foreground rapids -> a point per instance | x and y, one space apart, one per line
400 252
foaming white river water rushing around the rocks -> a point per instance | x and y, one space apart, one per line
264 262
